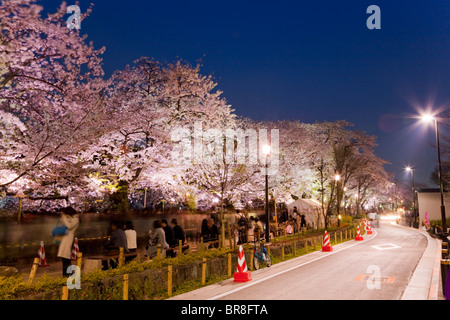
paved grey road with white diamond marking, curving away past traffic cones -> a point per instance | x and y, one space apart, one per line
379 267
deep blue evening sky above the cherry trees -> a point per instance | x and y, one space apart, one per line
305 60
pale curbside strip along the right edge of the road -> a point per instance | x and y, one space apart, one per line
424 283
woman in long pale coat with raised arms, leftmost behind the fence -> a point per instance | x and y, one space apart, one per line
70 219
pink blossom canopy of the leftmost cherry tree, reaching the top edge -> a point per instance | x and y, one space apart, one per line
51 98
